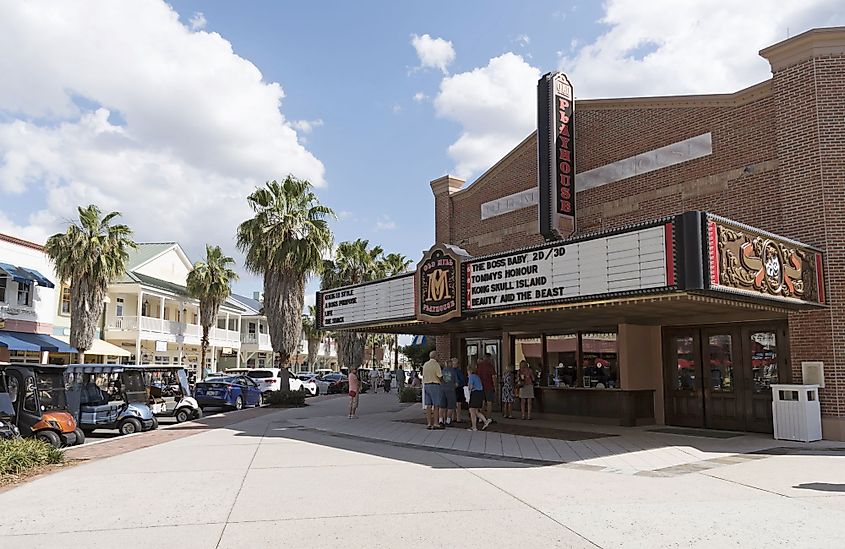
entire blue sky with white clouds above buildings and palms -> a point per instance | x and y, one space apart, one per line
172 113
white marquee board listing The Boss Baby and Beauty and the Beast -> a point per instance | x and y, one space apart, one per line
625 262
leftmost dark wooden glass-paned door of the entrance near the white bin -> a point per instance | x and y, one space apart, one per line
682 376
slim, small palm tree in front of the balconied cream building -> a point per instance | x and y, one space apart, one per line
210 283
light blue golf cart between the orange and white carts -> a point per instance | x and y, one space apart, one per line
109 396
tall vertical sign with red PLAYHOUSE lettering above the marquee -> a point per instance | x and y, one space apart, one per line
556 155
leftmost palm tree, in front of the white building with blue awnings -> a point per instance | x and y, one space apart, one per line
89 256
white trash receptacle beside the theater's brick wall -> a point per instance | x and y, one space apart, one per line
797 413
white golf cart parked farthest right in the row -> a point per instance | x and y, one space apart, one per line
170 395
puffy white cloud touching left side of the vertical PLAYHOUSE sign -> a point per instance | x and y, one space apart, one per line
496 105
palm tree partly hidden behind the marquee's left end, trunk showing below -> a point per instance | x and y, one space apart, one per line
354 262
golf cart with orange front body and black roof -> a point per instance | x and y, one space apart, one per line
39 403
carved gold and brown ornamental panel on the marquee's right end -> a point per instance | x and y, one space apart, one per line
752 262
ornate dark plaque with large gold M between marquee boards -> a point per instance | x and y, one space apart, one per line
438 288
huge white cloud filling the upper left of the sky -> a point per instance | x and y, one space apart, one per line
166 125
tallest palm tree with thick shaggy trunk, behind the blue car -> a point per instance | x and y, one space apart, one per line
285 242
